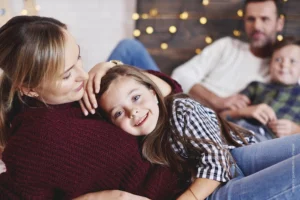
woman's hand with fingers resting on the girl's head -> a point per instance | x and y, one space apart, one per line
88 103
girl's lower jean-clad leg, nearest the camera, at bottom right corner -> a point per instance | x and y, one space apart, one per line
277 182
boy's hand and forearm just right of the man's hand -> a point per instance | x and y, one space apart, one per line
261 112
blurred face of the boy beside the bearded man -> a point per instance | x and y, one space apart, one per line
285 65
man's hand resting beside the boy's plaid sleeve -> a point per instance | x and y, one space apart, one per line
233 102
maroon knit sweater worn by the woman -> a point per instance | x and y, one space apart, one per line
57 153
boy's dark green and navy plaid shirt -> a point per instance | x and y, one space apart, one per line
285 100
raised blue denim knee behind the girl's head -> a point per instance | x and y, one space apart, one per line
133 52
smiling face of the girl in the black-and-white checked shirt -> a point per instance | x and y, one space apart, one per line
131 106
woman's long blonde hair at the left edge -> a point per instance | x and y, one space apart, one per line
31 51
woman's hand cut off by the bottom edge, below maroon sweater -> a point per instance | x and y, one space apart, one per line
111 194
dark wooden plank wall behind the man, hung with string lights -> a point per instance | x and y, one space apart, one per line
222 20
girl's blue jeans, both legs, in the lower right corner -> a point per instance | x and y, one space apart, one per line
269 171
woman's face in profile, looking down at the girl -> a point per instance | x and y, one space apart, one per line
70 85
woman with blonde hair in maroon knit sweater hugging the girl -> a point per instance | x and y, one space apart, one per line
51 150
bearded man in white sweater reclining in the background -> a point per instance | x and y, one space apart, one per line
215 76
